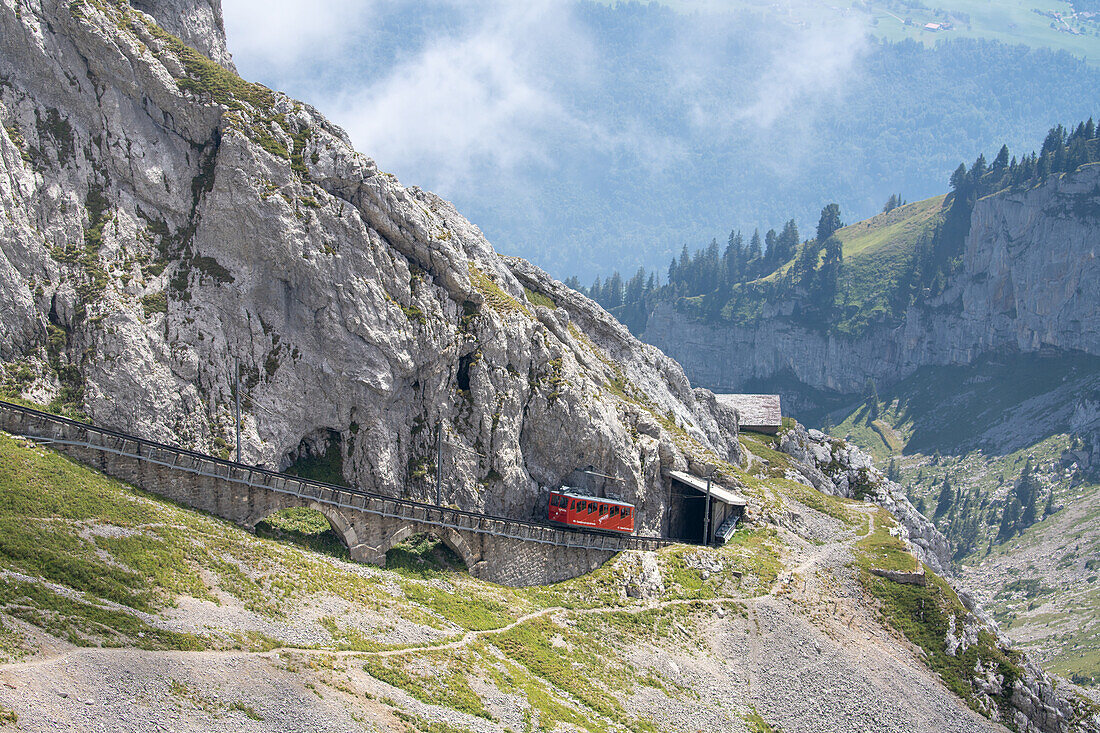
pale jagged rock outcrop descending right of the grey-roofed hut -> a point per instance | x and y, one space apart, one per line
839 468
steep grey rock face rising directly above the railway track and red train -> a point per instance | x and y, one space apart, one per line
174 237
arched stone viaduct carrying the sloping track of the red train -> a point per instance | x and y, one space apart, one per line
500 550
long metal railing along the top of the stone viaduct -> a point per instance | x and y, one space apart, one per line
196 464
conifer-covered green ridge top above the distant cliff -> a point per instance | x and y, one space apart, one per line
843 279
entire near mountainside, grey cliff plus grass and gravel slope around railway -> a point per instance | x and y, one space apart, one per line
177 240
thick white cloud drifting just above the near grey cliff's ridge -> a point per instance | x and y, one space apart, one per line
487 100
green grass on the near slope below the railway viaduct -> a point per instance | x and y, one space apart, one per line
125 562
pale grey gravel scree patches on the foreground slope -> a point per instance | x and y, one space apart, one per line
807 654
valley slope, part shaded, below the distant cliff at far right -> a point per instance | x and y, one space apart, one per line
978 426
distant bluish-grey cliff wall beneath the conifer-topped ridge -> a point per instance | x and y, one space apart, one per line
1027 282
